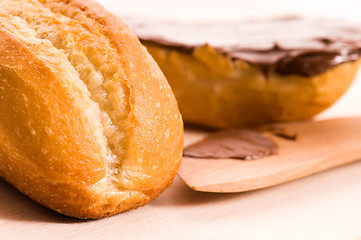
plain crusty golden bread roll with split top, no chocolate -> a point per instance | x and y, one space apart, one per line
88 126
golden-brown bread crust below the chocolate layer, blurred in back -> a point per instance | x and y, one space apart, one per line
214 91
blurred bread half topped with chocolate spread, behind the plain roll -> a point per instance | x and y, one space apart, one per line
240 74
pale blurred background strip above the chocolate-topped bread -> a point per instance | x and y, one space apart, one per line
235 9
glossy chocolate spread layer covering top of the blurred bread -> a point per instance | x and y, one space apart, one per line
304 47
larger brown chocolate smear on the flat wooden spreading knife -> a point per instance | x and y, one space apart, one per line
236 144
